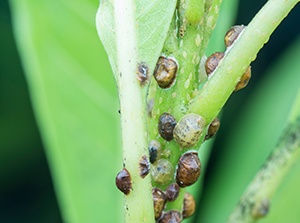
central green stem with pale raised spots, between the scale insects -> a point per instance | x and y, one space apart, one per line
186 48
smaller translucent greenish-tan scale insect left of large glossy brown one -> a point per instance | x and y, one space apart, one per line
162 171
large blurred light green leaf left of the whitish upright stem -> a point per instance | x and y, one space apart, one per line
75 101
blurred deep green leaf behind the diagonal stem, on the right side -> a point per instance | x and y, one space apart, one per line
253 137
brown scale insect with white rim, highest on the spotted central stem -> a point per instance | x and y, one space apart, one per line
165 71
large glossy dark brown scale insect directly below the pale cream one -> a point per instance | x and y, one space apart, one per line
188 170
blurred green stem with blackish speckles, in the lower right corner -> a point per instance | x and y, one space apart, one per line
254 203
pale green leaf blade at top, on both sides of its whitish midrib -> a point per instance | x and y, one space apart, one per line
153 21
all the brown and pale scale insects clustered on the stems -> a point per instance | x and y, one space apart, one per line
186 132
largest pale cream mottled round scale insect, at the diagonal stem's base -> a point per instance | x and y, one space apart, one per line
188 130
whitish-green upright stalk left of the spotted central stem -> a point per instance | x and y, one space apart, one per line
138 204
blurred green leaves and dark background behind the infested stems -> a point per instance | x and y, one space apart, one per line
74 97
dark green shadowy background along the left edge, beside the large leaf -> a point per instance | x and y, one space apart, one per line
25 183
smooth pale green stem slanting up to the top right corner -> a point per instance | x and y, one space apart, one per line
212 97
